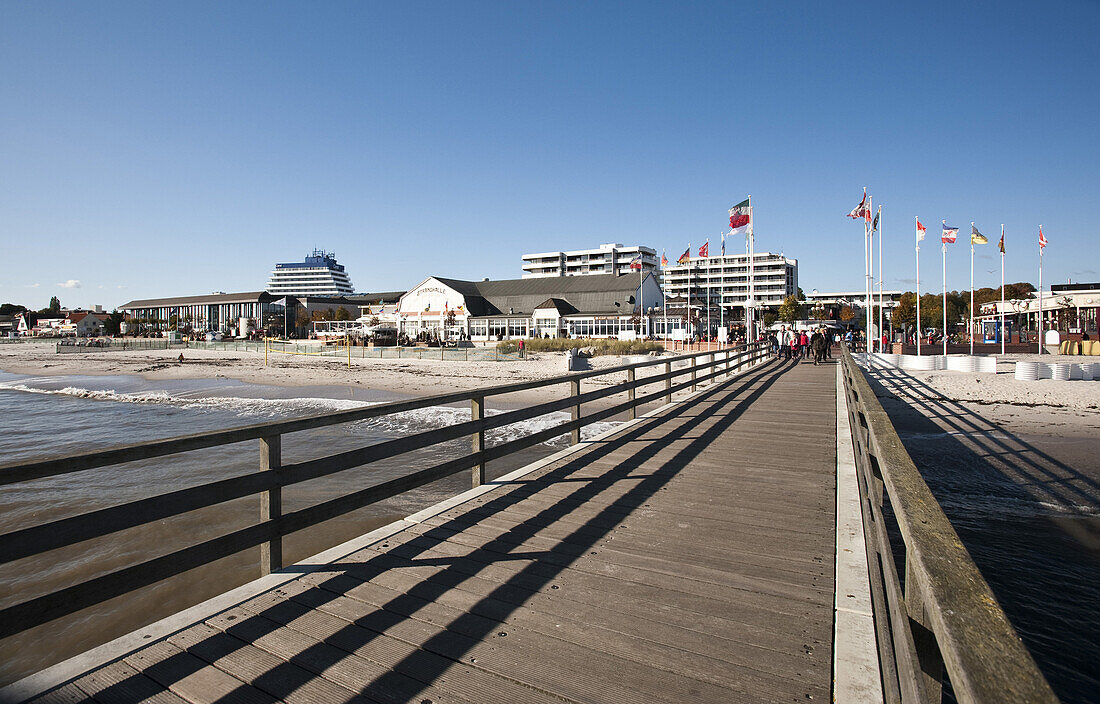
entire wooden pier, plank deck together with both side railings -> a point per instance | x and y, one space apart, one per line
691 556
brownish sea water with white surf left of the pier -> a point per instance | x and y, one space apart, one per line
57 416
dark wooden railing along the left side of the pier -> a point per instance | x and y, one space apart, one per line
272 475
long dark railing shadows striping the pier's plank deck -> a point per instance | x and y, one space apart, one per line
414 676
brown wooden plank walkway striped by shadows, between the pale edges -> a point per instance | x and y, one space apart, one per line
687 558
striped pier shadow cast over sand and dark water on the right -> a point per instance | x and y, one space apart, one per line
1030 521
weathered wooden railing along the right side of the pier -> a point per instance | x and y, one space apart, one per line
940 614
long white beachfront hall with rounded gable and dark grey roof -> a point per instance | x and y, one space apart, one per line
595 306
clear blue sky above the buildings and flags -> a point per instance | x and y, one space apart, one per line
156 150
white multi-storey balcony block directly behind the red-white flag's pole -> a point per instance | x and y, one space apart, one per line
724 282
